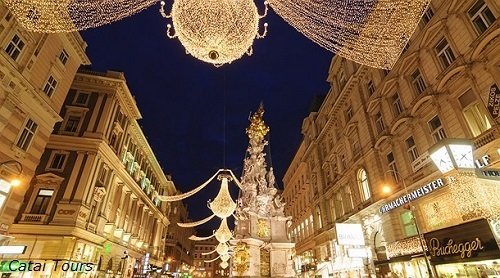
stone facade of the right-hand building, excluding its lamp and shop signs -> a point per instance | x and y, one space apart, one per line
373 132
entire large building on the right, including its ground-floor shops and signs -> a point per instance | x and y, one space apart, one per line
366 155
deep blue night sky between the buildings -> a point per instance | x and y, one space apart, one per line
182 99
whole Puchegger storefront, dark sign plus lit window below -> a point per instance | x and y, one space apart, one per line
465 250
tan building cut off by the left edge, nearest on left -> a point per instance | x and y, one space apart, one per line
36 71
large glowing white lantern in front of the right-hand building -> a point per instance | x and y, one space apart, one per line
449 154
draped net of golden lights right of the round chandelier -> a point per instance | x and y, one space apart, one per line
368 32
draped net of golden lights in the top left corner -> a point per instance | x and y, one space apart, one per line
57 16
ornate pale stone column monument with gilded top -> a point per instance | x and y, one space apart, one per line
262 247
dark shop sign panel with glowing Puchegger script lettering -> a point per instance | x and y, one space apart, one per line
461 243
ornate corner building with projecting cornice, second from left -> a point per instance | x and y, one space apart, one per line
93 198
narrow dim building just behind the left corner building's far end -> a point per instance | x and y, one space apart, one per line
178 246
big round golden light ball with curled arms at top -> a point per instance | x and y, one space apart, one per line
215 31
